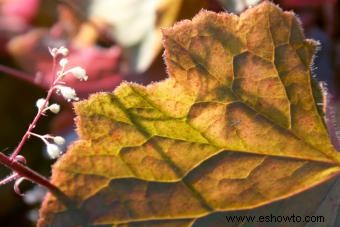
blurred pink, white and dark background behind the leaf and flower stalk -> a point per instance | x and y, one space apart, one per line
113 40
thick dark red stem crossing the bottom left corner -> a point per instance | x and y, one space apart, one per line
33 176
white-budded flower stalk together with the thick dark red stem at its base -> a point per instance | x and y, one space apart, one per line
16 162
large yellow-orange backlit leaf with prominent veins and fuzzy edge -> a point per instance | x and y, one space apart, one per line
234 127
